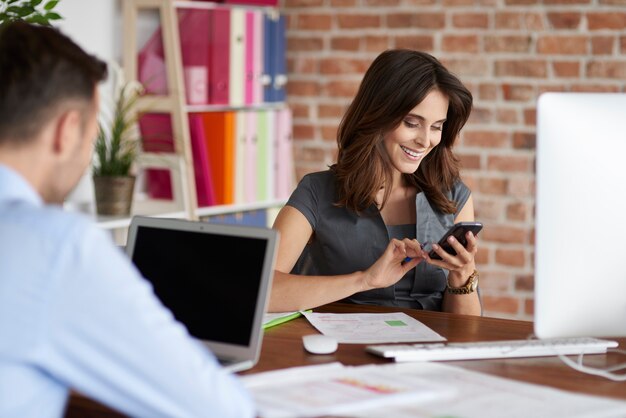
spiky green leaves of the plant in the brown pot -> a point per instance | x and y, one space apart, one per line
116 144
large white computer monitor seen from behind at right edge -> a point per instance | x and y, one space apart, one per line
580 251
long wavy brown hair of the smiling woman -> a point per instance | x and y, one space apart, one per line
396 82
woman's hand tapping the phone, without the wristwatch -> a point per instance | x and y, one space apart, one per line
391 265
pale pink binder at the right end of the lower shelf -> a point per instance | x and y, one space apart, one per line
283 180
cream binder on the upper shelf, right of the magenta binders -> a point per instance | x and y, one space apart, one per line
237 82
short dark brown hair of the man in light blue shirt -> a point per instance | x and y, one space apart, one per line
40 69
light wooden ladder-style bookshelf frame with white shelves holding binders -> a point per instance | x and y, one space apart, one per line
175 102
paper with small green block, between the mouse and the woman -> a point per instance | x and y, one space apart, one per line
373 328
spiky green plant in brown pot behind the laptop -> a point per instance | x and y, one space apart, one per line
115 151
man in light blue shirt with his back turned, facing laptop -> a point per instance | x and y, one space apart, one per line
74 313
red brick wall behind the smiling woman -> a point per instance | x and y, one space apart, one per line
507 52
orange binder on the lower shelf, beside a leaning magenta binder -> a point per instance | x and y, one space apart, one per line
219 130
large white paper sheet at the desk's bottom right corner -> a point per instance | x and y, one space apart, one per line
480 395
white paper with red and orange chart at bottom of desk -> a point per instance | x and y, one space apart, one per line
333 389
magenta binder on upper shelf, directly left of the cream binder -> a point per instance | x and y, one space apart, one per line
219 56
